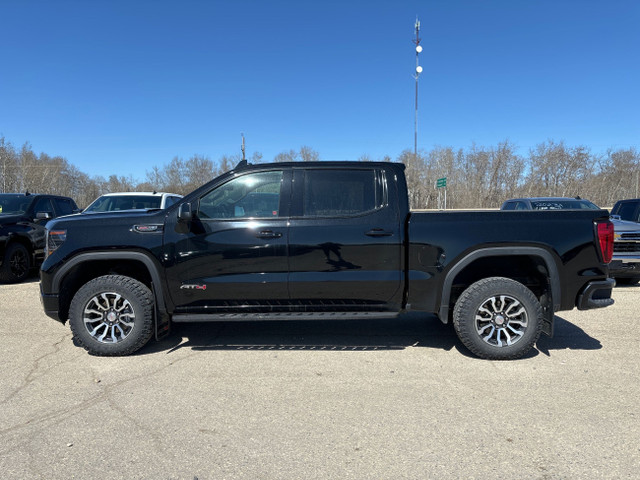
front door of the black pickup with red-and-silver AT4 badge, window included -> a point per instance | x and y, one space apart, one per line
233 253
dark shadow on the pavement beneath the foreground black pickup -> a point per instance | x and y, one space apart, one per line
409 330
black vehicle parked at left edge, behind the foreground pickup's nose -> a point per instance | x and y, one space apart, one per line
23 217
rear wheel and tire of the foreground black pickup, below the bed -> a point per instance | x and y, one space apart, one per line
498 318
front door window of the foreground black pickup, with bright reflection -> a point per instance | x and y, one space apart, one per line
255 195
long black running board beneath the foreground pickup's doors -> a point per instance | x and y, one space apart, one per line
243 317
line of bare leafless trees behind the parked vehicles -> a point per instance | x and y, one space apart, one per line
477 177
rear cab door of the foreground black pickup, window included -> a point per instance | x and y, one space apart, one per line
344 240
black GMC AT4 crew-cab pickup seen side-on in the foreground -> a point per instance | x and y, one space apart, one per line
322 240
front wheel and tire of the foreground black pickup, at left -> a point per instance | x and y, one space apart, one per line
112 315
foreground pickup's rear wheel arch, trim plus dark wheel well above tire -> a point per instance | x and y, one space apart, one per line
539 262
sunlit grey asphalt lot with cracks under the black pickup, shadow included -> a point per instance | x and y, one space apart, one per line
386 399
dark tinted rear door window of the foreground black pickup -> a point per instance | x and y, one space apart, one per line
341 192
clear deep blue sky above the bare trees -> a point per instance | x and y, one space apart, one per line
117 87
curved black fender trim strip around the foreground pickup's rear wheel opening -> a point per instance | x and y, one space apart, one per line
545 255
